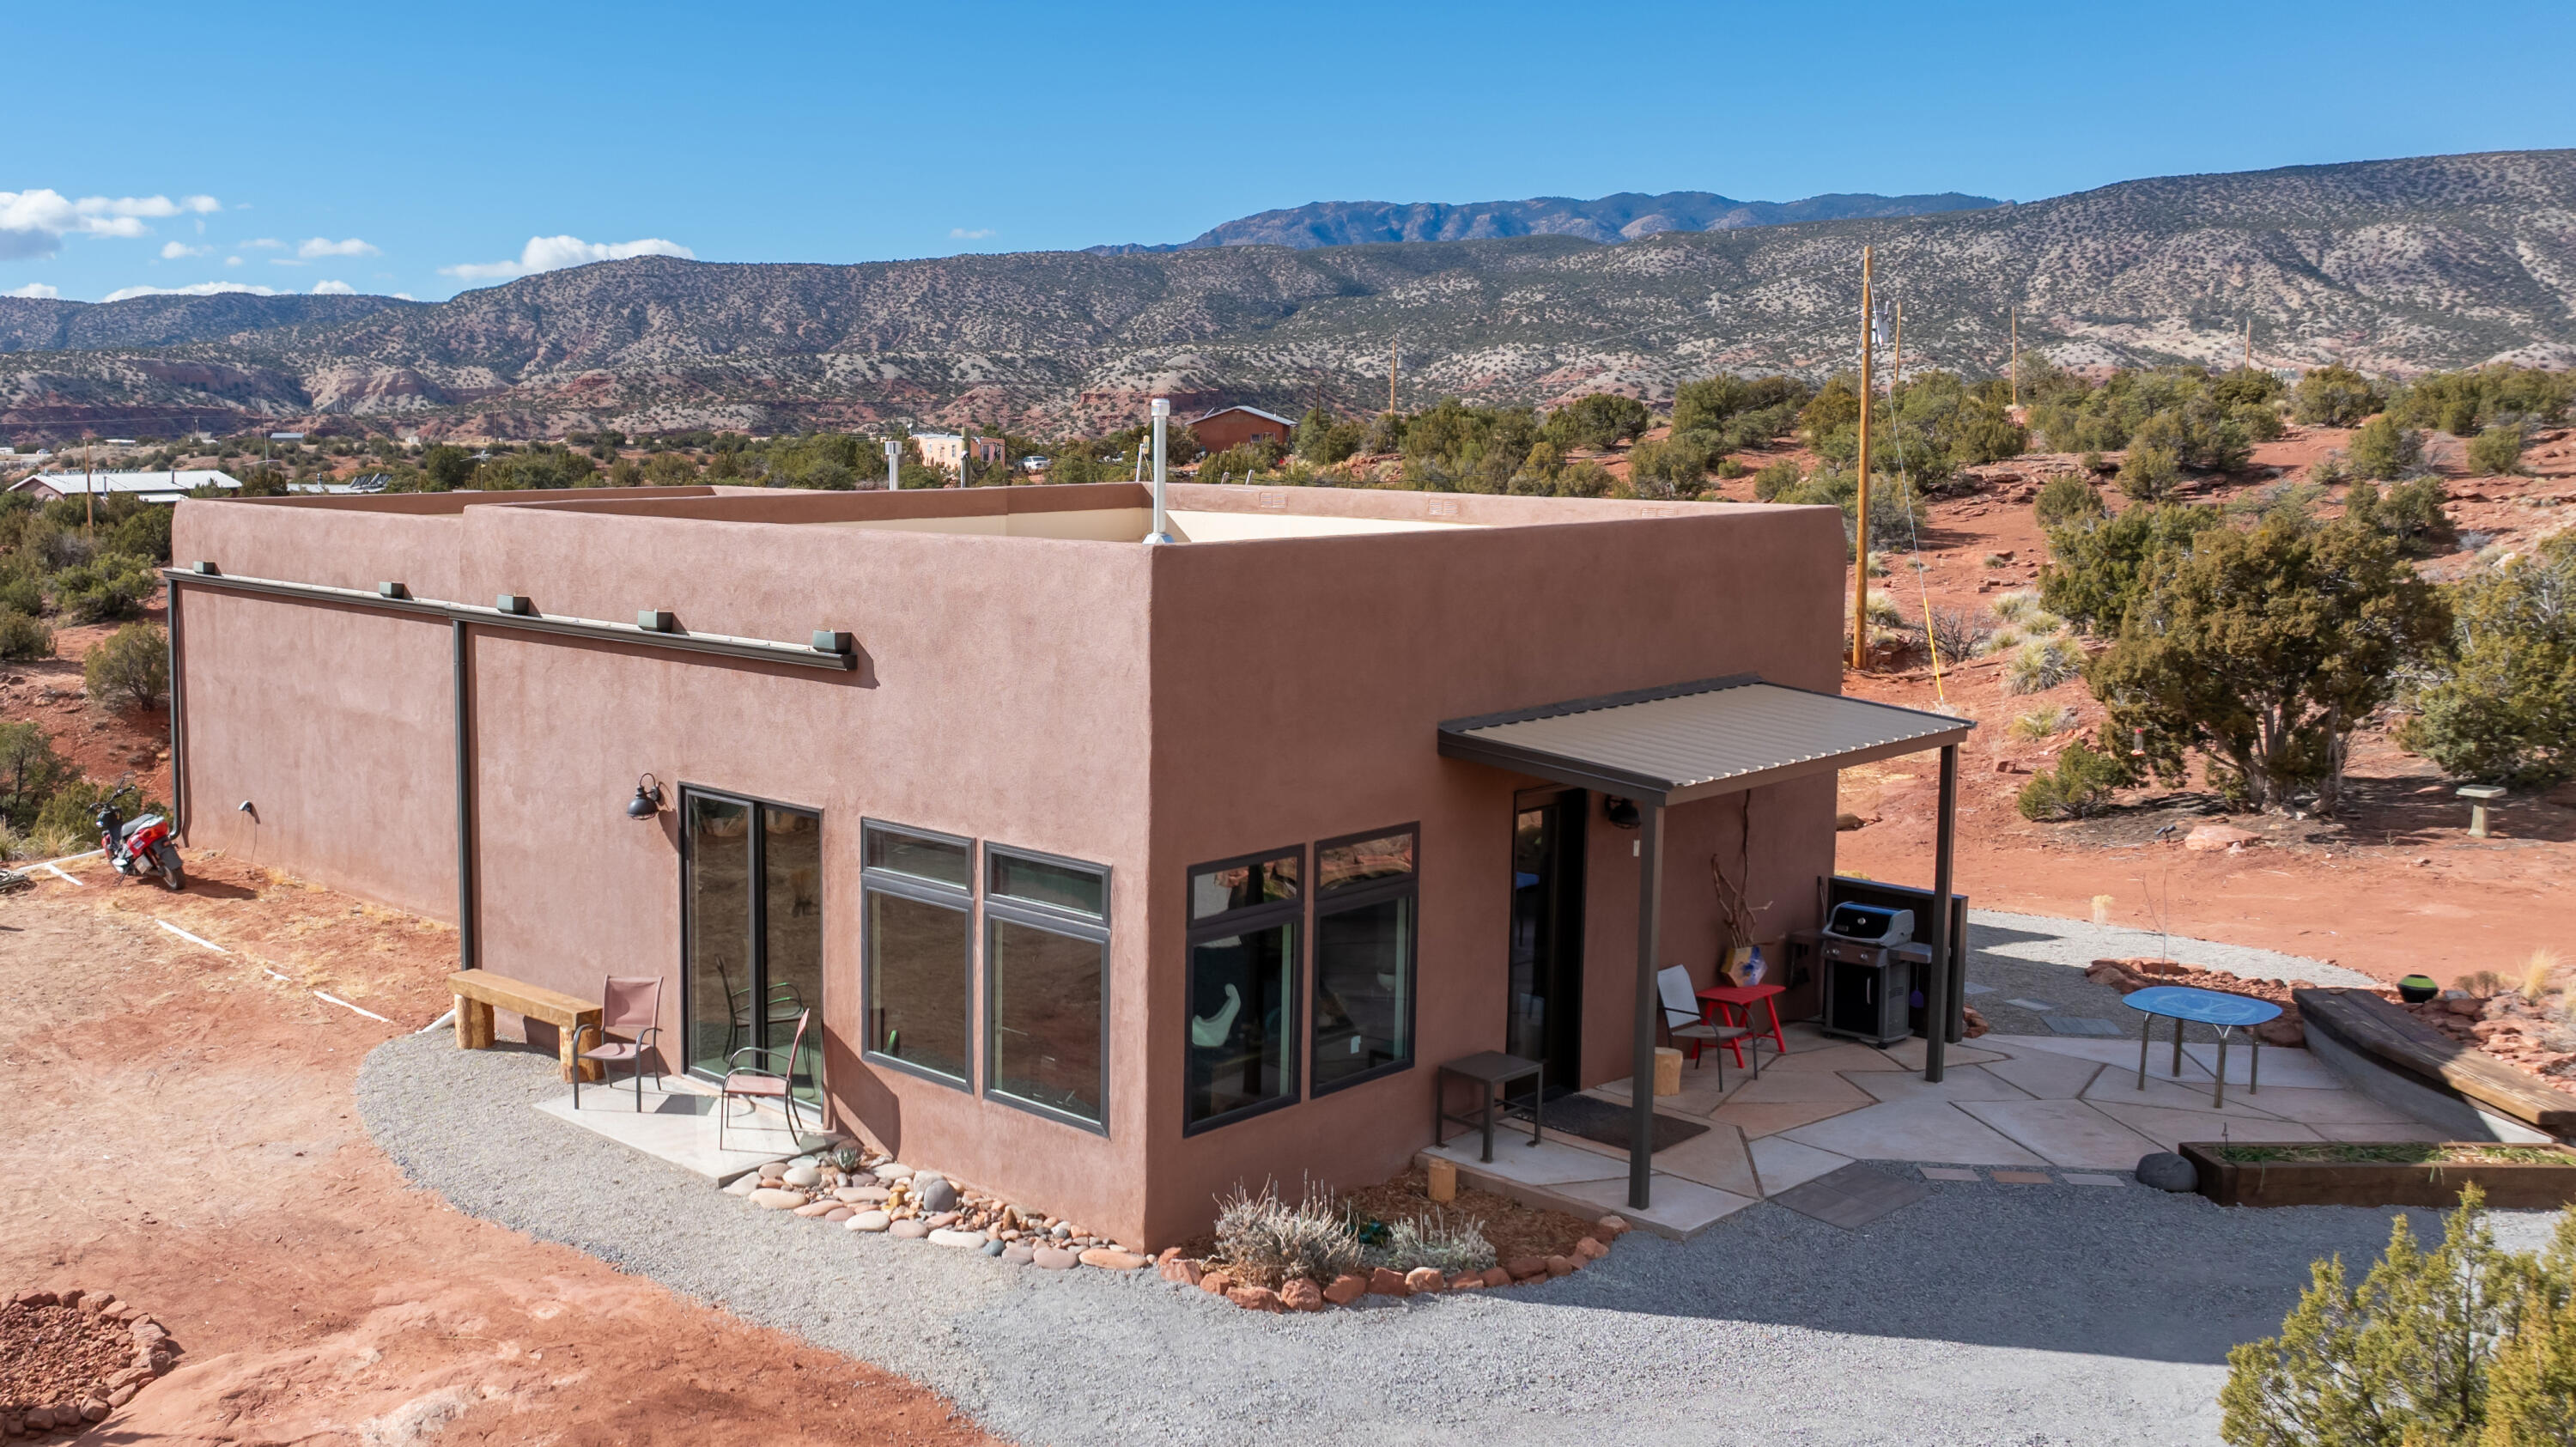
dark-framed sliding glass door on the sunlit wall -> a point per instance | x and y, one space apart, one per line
751 957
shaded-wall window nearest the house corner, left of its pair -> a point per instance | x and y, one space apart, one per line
1243 987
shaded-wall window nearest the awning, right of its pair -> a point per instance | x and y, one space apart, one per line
1364 957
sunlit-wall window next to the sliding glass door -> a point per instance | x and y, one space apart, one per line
918 949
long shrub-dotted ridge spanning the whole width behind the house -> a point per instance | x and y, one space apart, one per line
2394 266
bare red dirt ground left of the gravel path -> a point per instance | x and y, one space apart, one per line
184 1137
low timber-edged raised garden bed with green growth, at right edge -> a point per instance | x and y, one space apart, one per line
2253 1173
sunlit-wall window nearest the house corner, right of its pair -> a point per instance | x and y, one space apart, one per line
1047 951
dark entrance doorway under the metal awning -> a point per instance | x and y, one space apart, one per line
1547 982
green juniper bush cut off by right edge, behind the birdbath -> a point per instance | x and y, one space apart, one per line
2503 704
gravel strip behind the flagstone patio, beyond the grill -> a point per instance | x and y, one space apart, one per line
2031 957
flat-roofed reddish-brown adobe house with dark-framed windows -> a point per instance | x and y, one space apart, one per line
1119 874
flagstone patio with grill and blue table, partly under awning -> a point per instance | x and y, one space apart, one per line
2023 1103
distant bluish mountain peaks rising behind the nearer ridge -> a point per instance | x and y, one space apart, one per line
1611 220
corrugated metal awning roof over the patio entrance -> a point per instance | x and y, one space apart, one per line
1696 740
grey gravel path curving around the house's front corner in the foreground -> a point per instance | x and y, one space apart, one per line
1980 1314
